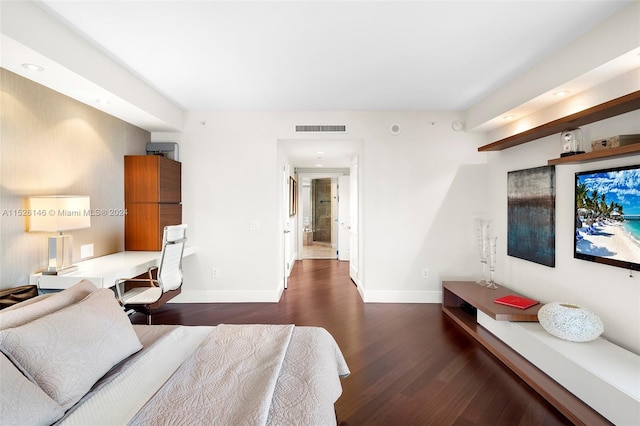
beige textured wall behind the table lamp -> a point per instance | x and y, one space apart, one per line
54 145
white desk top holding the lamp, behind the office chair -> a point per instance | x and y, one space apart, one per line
103 271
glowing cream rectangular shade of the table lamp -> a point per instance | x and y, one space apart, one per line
57 213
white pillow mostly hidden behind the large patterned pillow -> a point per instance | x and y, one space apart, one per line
30 309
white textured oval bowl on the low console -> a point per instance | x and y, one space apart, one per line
570 322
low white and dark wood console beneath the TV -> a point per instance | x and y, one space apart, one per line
591 383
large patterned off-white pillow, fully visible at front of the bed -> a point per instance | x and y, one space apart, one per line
67 351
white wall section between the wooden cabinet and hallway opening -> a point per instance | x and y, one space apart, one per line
232 177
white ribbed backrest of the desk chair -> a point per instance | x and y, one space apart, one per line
170 268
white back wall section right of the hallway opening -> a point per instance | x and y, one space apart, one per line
421 190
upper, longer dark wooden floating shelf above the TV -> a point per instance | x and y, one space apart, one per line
621 105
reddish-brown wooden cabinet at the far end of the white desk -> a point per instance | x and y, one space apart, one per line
152 194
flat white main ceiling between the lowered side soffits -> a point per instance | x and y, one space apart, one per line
330 55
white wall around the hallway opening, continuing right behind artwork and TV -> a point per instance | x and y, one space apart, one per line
421 191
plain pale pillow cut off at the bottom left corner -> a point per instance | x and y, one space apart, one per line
22 402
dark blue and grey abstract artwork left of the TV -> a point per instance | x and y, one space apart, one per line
531 215
